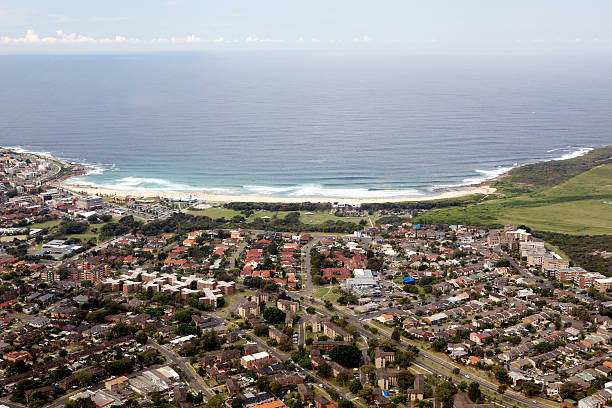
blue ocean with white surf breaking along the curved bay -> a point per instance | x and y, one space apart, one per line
302 124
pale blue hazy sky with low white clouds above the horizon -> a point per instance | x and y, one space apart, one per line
468 27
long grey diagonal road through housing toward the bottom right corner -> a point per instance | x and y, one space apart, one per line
356 323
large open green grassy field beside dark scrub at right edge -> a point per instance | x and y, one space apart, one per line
576 206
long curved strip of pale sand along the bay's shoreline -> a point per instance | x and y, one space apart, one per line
220 198
